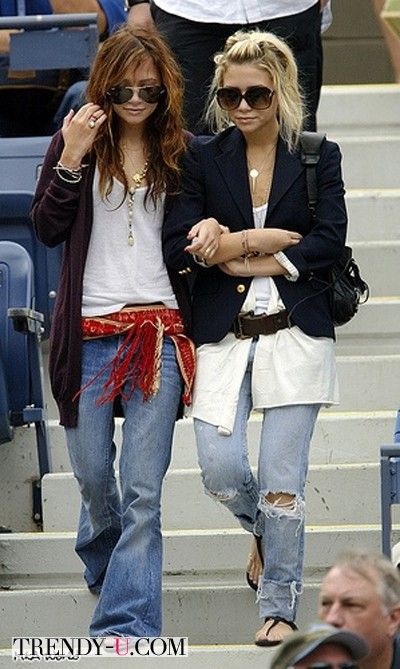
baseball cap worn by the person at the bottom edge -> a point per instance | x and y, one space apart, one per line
299 645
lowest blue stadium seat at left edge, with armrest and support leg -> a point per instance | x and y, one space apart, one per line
21 380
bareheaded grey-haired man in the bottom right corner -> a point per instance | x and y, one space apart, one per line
361 593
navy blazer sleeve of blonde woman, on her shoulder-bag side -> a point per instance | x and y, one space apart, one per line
323 245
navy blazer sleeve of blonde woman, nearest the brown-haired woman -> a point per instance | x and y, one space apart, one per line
188 208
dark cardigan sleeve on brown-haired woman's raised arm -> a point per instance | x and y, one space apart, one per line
55 202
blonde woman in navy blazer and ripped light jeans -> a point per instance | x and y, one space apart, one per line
264 334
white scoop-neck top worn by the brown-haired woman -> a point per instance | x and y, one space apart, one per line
115 273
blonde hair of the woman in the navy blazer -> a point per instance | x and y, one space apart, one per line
274 56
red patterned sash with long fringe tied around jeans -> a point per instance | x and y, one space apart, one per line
137 362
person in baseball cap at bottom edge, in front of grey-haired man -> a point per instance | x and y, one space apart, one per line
323 646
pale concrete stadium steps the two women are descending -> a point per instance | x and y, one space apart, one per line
205 596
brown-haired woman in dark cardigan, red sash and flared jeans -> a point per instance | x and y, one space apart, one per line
118 334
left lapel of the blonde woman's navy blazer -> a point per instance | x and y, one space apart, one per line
232 164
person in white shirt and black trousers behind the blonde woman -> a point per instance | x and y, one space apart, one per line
196 31
